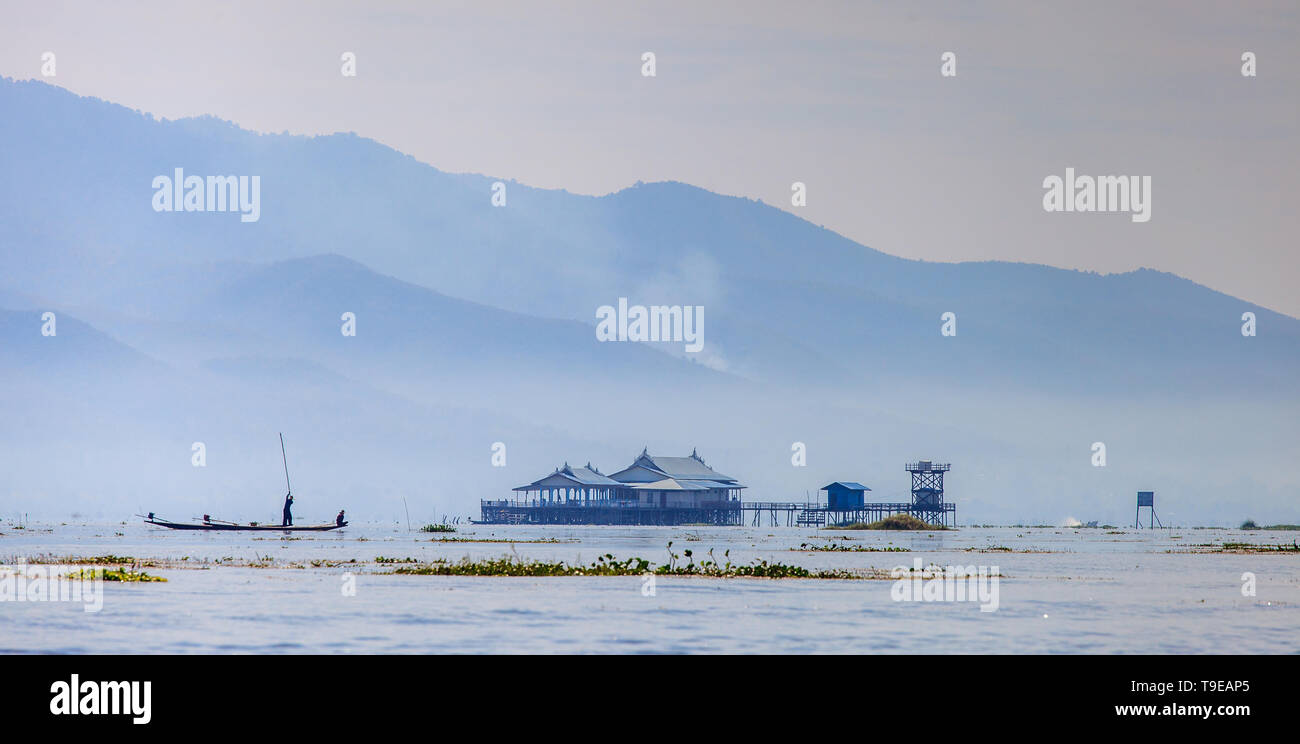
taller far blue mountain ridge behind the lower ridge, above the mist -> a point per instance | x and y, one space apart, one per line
785 300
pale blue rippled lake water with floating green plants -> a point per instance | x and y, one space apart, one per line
1063 591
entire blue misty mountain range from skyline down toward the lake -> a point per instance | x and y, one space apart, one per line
466 306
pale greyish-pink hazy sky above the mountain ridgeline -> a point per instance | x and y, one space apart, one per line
752 97
